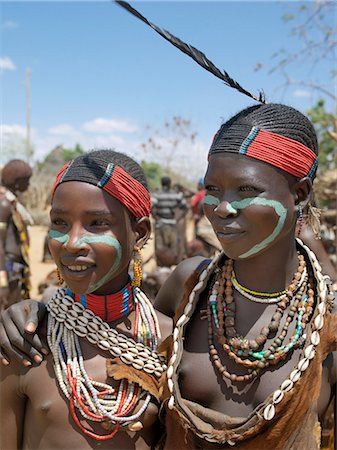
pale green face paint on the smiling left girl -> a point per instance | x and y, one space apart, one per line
63 238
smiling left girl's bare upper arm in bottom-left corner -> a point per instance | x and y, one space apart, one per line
12 408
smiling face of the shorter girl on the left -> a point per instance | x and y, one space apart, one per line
92 238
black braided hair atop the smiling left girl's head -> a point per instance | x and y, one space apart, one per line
91 167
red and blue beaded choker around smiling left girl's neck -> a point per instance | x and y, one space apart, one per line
108 307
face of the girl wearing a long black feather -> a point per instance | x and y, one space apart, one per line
250 204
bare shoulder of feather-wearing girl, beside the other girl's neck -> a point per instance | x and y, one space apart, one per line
171 293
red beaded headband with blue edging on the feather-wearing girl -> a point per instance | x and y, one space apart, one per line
279 151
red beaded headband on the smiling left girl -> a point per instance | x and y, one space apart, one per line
119 184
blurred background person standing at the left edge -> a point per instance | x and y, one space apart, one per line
14 239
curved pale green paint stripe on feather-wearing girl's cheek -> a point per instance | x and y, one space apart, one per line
279 209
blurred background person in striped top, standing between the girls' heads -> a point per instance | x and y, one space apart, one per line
168 209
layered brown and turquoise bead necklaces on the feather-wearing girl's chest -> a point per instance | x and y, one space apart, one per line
298 298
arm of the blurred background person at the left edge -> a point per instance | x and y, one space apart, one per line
5 212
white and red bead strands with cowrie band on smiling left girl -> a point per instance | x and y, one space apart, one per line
69 320
